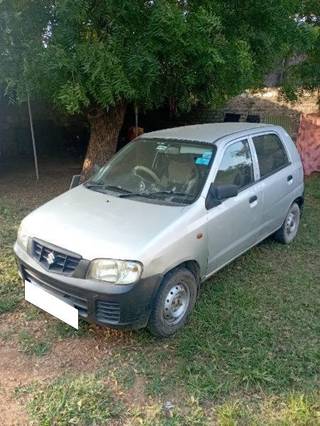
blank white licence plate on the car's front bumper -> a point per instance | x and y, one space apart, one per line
41 298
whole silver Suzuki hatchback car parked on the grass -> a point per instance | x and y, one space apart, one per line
131 246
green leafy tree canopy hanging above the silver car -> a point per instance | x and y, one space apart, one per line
87 54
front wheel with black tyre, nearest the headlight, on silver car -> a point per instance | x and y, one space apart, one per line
180 283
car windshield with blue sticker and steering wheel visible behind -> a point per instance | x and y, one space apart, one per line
157 170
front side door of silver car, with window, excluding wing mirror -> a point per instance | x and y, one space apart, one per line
233 226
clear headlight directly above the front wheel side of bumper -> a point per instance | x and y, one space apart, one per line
115 271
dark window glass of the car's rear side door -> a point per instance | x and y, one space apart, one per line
271 153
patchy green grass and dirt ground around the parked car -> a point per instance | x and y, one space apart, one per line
249 355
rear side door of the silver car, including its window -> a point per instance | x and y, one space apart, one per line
276 179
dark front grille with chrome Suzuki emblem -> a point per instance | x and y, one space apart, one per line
54 260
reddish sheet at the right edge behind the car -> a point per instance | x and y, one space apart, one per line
308 143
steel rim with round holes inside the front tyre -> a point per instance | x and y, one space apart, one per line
176 303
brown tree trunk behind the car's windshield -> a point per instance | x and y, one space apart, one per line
104 132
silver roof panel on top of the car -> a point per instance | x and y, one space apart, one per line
208 133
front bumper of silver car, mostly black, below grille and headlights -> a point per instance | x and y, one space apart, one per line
118 306
